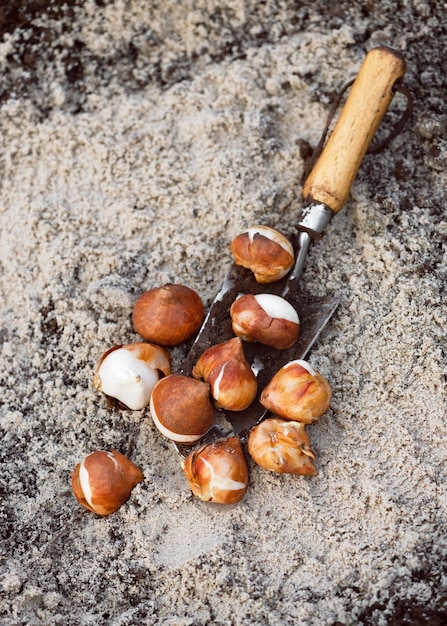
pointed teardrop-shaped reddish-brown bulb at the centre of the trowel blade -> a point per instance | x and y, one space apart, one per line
225 368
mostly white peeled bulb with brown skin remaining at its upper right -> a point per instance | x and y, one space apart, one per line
129 373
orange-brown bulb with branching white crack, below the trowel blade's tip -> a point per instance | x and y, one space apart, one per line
217 472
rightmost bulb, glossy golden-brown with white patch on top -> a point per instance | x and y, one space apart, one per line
297 392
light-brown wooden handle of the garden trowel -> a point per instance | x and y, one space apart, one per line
333 174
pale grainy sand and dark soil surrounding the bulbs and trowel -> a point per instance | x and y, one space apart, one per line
137 139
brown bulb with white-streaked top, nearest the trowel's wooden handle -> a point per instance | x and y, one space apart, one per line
265 251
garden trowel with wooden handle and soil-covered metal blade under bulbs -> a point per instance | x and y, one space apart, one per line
325 191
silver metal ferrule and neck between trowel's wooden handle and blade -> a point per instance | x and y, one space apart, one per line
314 219
